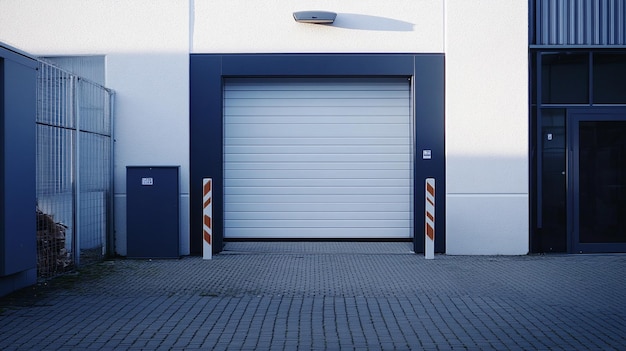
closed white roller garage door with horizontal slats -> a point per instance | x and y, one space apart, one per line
317 158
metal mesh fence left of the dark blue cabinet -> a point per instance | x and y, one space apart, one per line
74 170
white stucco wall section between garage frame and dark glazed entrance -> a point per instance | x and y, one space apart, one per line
486 127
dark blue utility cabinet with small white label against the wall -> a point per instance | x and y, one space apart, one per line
152 211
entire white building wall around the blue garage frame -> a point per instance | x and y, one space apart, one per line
147 45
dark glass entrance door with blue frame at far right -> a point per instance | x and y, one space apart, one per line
598 191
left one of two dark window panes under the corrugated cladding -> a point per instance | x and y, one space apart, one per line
565 78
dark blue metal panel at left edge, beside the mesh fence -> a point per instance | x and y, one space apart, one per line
18 251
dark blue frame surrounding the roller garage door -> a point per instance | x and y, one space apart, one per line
207 73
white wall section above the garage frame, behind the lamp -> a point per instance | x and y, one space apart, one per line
226 26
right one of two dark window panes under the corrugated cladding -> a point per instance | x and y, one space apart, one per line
609 78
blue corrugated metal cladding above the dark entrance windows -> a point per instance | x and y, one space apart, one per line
579 22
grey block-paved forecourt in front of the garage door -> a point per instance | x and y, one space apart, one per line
326 296
